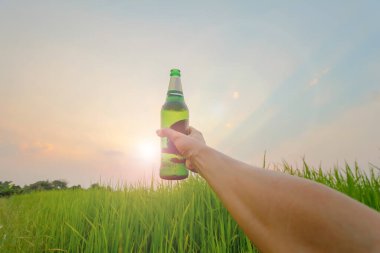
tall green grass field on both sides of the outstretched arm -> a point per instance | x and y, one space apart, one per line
184 217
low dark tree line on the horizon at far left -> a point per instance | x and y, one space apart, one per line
8 188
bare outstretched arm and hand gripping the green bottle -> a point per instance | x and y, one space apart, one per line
280 212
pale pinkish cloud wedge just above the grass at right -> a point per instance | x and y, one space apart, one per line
352 136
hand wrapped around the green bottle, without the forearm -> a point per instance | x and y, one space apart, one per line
189 146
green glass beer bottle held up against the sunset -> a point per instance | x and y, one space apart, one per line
174 114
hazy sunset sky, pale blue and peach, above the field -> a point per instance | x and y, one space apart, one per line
82 84
